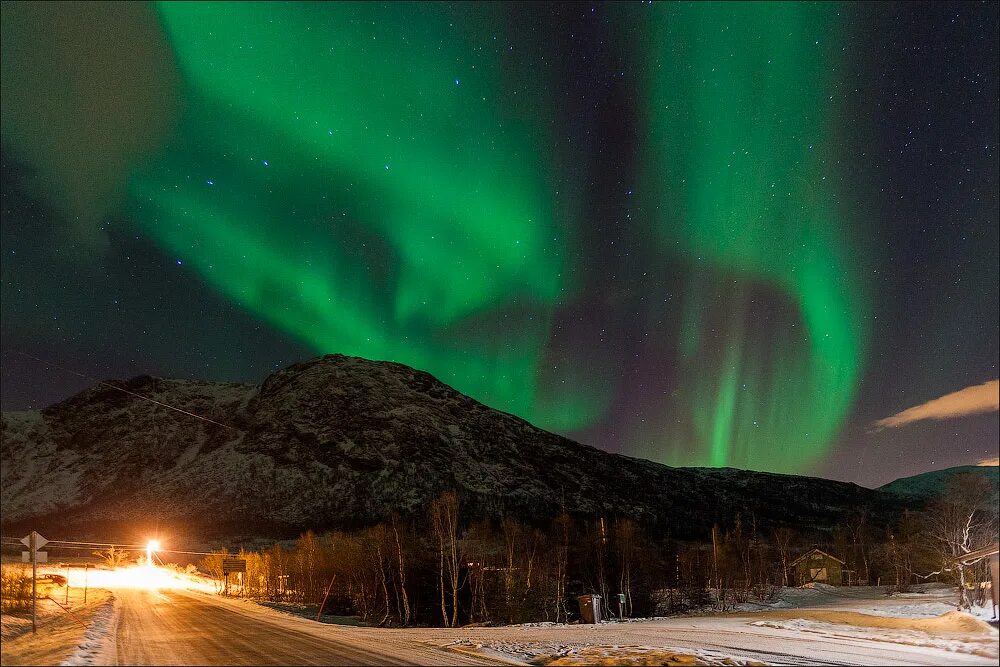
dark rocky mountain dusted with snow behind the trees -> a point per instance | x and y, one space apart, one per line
343 441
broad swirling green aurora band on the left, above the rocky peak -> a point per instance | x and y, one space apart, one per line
421 207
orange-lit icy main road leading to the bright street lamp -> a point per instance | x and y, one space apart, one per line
174 627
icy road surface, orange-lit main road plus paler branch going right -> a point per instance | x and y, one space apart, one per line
184 627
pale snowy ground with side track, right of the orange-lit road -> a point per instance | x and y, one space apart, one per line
819 625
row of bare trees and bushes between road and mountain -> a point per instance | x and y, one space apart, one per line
441 569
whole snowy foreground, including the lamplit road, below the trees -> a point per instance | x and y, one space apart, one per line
821 625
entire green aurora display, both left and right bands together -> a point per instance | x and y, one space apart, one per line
378 193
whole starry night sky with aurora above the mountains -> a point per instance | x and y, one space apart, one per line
704 234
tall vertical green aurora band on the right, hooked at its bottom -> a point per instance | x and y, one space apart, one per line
743 175
